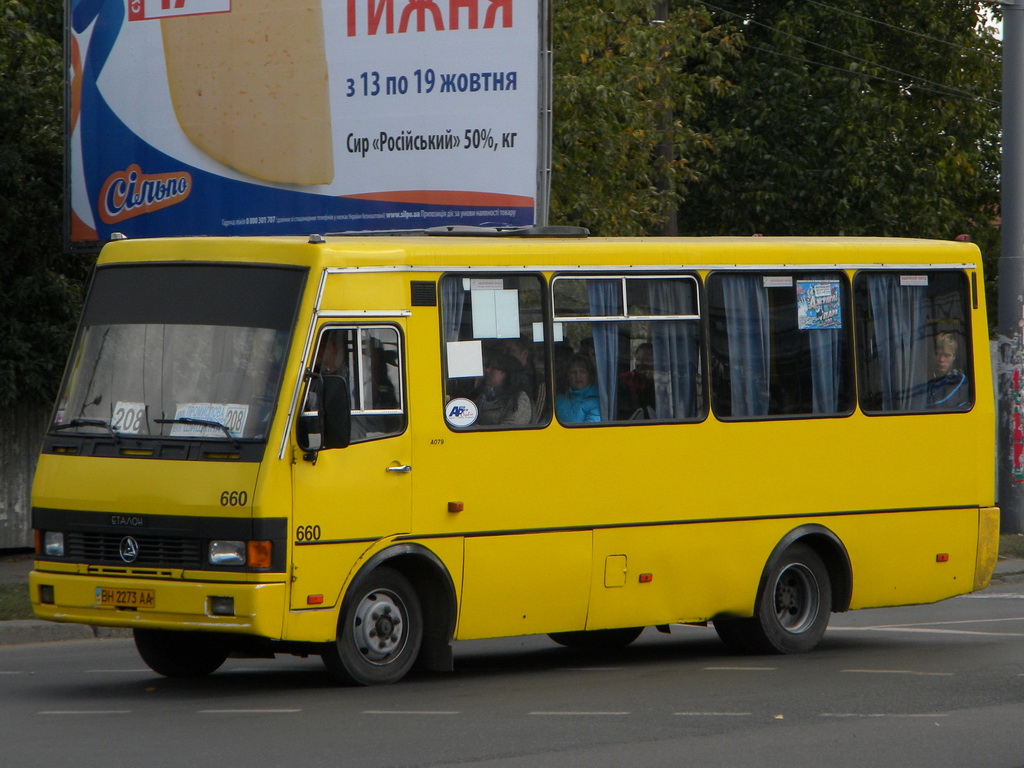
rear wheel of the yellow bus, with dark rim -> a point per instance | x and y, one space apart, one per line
793 610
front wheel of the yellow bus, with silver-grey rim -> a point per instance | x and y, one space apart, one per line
380 631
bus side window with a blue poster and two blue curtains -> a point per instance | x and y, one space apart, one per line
781 345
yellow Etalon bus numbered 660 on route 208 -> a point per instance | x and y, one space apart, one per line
367 448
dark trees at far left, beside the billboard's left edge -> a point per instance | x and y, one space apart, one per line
40 288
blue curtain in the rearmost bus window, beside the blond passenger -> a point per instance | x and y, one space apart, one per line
903 342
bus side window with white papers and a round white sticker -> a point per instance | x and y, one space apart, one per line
495 355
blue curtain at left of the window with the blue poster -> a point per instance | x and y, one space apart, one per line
748 331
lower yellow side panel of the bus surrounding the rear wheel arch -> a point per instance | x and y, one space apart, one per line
660 575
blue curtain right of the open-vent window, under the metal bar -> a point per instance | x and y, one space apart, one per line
676 351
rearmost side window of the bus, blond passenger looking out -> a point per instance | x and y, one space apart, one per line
914 348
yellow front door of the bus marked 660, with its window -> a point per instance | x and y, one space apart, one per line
347 499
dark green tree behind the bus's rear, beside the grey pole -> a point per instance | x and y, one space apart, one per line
874 118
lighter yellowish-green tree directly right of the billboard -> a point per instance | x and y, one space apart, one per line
630 80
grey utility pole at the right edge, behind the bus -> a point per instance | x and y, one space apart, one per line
1010 359
